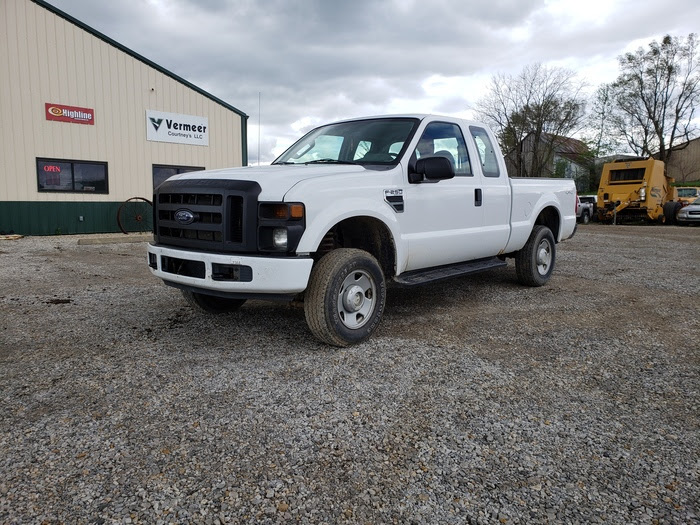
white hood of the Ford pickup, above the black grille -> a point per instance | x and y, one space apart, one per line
275 180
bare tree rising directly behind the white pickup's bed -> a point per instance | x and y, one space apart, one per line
541 104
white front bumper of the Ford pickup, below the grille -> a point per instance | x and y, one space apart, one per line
223 274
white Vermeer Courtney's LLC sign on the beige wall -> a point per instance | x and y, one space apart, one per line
180 129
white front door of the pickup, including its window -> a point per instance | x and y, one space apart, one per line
443 221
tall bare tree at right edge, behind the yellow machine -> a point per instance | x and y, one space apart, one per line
656 96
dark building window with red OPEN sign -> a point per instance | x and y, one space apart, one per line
75 176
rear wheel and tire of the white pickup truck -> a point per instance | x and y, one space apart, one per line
534 263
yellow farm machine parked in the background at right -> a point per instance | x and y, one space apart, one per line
633 190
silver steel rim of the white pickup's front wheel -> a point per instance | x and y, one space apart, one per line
356 299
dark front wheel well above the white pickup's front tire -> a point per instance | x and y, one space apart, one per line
364 233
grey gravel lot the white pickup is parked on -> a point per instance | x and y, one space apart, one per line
478 400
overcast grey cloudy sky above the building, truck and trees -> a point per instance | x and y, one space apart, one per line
314 61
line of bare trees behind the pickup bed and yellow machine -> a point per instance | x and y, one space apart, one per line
648 110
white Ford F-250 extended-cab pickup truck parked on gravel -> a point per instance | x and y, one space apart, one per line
349 207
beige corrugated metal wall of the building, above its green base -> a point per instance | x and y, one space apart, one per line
47 59
